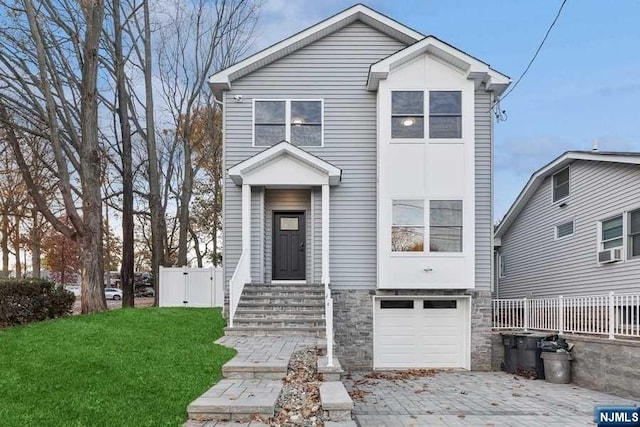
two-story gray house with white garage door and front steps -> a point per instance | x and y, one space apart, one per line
359 154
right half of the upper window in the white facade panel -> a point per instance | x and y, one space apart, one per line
445 114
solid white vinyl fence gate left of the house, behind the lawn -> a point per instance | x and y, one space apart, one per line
191 287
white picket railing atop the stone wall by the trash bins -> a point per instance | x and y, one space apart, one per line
611 314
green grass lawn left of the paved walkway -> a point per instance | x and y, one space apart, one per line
129 367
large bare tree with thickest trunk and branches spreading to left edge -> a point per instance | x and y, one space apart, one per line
49 61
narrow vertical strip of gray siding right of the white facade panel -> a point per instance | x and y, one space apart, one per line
483 189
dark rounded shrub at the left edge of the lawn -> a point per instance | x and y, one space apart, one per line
31 300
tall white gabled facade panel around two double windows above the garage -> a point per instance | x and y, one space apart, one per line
427 169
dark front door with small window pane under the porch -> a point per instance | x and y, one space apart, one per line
289 260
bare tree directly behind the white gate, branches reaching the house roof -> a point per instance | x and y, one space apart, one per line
201 37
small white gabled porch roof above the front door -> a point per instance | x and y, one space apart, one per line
285 164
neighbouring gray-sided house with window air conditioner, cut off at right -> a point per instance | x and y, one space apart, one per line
574 229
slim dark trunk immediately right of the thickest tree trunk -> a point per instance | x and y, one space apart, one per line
126 269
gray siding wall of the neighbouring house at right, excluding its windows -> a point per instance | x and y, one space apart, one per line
539 265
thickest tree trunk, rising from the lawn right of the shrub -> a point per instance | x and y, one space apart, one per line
90 172
